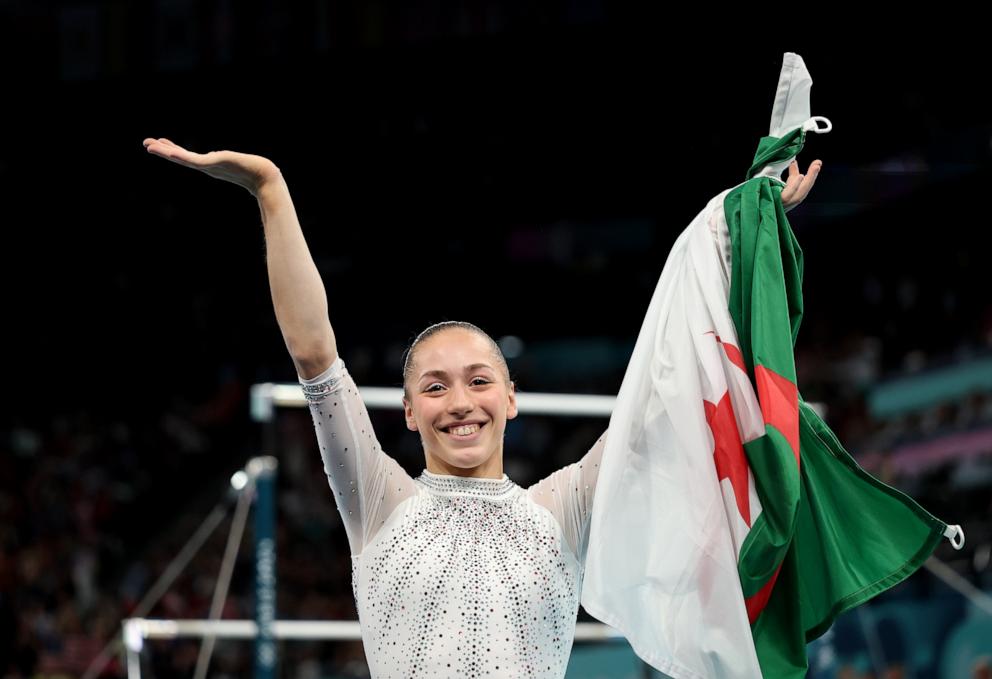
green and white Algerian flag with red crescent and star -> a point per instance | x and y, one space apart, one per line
729 526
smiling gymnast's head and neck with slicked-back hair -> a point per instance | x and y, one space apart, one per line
459 401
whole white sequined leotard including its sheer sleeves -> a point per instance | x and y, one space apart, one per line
454 576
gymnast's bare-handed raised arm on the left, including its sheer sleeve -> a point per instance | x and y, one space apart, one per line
367 484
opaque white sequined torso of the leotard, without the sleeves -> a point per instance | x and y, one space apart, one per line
471 581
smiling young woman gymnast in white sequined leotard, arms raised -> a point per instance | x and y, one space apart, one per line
459 572
